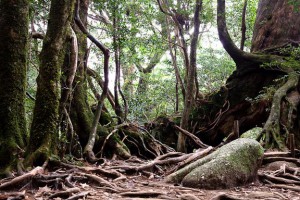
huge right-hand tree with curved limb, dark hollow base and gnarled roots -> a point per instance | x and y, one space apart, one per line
276 38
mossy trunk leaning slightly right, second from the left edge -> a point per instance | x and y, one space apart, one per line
44 129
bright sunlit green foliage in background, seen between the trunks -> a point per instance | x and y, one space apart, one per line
141 34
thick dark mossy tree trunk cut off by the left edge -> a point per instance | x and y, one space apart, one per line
14 22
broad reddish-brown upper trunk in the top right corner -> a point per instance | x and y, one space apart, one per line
277 24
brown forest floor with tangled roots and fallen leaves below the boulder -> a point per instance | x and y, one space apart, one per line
108 182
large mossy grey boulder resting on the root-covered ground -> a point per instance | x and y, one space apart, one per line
234 164
